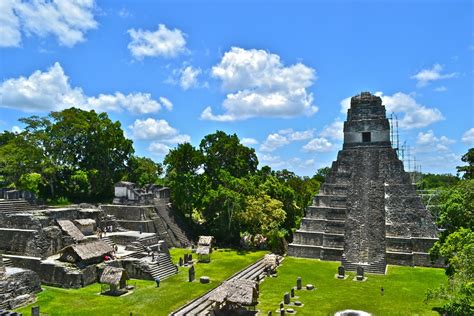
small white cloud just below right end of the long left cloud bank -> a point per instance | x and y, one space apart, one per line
152 129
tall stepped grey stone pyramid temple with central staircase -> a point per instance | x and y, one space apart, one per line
367 212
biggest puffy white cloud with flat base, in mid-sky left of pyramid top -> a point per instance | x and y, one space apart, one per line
259 85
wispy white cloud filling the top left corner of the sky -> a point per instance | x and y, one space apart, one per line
68 21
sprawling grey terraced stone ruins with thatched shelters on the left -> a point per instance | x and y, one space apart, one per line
70 246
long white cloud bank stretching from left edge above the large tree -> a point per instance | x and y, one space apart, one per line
50 91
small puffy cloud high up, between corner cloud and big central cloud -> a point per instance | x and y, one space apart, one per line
162 42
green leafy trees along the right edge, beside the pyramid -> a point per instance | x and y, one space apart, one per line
456 245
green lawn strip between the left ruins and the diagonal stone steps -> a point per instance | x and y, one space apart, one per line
146 299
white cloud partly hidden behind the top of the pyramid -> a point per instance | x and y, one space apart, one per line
411 114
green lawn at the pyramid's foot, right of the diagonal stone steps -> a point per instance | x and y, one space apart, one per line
404 289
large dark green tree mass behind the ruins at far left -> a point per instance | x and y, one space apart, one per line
68 148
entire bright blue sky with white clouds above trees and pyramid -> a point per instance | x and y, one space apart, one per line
276 73
